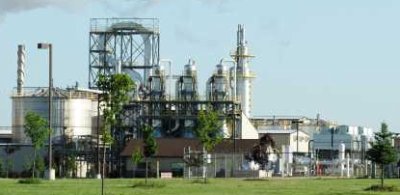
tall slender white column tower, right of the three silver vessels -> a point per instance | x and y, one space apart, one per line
243 74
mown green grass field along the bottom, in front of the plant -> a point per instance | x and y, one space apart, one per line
289 186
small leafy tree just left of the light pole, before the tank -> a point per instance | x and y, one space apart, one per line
36 129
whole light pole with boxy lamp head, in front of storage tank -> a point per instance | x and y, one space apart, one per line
48 46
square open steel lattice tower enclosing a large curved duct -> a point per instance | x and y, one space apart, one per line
123 45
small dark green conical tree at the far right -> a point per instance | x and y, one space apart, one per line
382 152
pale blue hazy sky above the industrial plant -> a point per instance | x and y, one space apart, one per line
339 58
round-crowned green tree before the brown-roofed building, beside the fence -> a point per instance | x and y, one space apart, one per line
208 131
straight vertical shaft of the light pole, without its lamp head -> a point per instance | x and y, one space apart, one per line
50 108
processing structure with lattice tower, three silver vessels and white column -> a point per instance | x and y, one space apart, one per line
131 46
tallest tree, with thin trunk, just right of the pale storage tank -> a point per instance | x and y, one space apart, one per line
115 90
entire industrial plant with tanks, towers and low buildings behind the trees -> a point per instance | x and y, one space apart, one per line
170 103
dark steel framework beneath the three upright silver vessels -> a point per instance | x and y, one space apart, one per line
173 115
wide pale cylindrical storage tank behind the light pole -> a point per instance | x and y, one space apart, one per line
74 112
